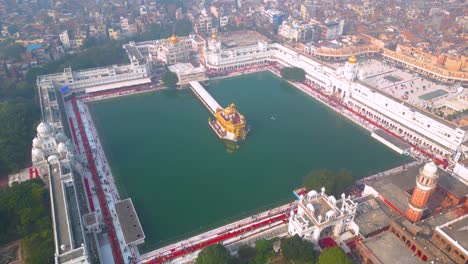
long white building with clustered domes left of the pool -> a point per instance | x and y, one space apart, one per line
52 154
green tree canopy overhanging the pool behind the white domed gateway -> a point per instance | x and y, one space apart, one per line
334 182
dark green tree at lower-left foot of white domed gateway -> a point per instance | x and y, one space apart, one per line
298 250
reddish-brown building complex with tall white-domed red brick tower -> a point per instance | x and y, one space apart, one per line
433 228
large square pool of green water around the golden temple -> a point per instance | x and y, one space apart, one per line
183 180
